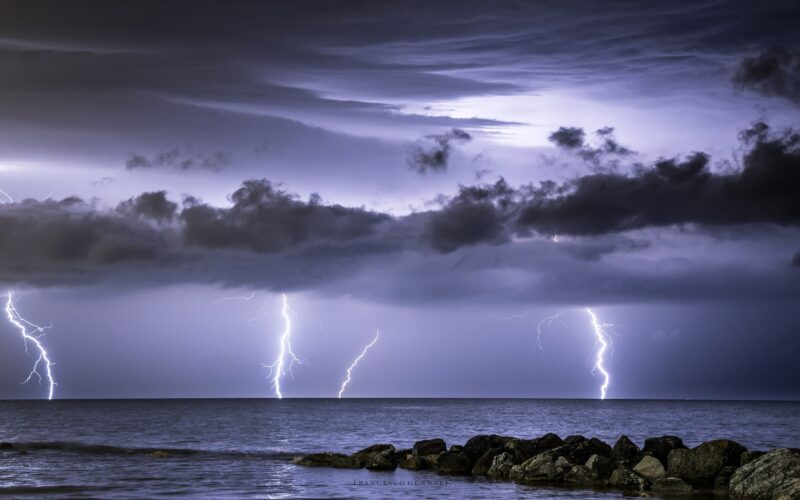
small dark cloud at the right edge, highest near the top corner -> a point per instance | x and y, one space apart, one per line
774 72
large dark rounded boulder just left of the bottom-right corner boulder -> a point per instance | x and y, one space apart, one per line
700 465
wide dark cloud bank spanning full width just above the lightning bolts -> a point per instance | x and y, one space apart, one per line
478 241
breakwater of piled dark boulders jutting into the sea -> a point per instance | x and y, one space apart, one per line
664 465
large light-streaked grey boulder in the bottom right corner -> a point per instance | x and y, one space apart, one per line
774 475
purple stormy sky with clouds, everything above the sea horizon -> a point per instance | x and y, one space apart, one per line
452 173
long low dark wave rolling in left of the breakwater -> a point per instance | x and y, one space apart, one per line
159 452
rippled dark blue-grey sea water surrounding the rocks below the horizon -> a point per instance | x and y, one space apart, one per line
242 448
